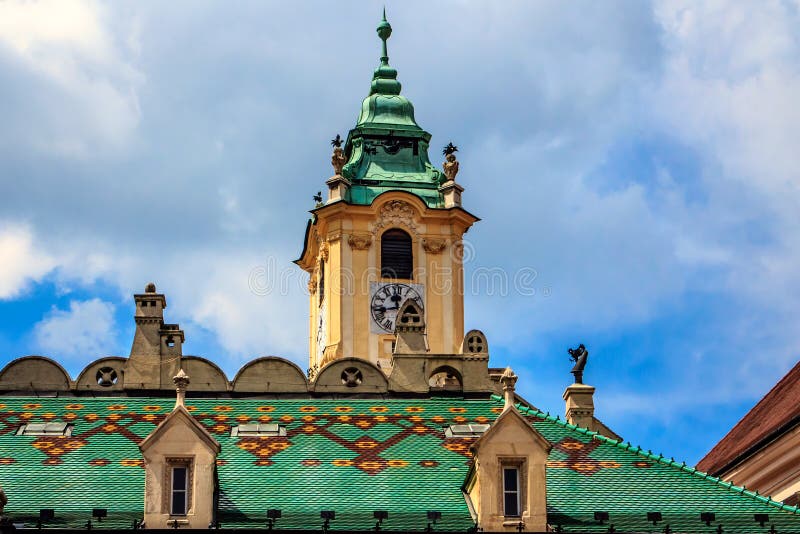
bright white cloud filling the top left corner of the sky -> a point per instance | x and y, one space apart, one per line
70 86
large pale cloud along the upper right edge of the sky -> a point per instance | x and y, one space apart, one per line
729 89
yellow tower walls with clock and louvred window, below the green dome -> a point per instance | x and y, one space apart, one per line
354 299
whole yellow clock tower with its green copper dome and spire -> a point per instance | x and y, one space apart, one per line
389 233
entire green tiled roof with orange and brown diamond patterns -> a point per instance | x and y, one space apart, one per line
352 456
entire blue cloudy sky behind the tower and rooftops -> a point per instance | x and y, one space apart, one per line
635 165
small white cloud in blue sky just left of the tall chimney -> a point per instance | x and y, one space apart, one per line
83 333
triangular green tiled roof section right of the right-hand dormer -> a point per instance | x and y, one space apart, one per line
587 472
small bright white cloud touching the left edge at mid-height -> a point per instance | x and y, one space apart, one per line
22 262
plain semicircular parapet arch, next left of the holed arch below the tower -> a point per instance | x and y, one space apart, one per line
270 374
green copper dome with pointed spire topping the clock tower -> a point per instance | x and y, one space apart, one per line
387 150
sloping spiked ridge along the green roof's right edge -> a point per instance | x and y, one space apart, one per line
683 466
